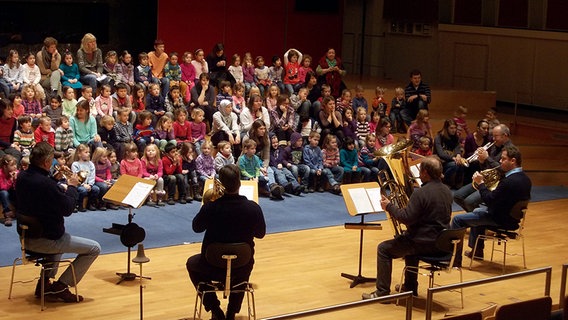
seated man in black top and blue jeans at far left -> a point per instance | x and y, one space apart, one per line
41 199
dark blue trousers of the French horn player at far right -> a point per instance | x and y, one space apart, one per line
478 220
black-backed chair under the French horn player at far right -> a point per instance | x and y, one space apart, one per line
501 235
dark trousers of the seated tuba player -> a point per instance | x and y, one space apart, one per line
399 247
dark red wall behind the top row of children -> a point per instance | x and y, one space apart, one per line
262 27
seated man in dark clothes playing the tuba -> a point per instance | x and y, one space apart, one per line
428 213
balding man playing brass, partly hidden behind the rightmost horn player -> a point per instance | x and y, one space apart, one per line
467 197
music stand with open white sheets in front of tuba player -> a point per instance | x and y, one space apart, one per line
361 199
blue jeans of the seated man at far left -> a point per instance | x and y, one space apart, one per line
88 250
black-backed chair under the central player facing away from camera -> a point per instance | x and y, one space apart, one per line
226 256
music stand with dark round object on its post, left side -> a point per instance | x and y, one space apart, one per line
131 192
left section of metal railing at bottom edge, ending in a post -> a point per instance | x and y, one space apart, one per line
307 313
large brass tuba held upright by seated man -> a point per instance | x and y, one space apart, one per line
401 184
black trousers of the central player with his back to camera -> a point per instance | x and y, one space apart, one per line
200 271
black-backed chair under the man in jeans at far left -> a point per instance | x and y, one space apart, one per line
29 226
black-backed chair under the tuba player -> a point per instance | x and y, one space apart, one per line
448 241
